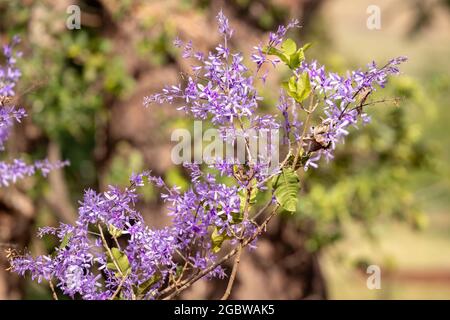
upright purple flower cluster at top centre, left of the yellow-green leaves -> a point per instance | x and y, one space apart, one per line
221 85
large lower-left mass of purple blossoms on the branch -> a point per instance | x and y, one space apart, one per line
81 266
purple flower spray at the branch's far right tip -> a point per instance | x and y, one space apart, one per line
343 99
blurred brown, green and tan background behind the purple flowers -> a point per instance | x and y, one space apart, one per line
384 201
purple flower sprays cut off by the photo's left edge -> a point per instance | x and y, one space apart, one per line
10 172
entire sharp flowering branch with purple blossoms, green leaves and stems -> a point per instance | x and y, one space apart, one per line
110 253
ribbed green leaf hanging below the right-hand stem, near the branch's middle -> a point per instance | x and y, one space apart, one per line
287 186
